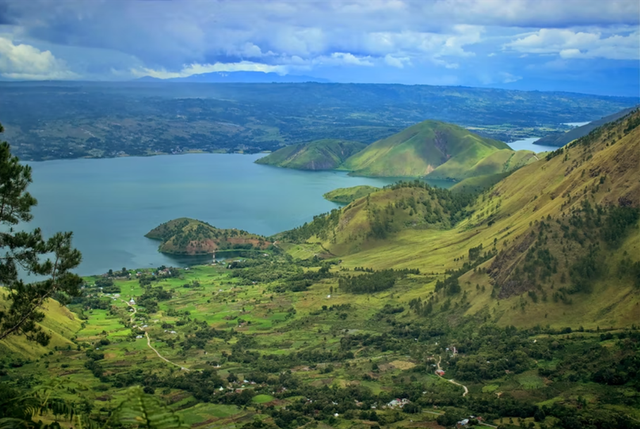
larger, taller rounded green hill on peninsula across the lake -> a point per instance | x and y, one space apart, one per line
421 149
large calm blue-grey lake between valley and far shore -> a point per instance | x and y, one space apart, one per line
110 204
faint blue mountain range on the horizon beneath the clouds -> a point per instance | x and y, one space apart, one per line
237 77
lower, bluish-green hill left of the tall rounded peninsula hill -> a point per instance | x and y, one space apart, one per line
324 154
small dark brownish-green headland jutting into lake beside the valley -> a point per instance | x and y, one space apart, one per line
193 237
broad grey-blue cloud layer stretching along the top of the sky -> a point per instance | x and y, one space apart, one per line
171 33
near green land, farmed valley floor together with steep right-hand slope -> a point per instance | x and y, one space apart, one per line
523 297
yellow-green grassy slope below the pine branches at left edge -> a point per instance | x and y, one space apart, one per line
59 322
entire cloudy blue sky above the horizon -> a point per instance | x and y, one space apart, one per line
589 46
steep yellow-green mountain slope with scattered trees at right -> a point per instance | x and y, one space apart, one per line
555 241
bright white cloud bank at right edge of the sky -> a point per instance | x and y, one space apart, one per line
570 44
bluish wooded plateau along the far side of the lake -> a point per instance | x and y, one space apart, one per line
96 120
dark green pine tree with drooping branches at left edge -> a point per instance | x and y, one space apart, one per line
29 253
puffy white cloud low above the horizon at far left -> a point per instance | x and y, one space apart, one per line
25 62
